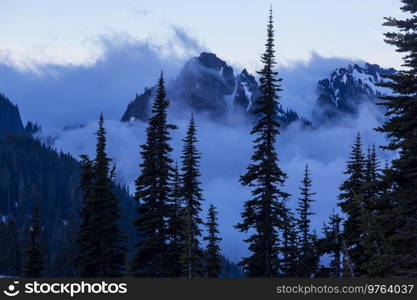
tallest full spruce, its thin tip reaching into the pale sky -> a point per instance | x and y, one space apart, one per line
264 214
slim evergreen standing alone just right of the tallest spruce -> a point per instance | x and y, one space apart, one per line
307 249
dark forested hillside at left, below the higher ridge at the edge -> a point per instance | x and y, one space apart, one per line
32 172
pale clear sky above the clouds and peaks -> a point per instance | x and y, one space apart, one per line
67 31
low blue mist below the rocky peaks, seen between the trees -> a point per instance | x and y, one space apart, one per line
226 152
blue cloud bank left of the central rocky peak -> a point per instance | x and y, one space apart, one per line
59 95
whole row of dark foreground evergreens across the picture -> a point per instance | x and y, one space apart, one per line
374 236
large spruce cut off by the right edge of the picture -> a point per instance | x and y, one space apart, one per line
401 130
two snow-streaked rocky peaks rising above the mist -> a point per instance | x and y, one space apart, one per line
207 84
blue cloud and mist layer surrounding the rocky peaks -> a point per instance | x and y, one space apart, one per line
57 95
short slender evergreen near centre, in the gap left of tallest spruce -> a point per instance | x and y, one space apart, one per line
212 253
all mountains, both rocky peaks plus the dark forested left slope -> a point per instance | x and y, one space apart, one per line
32 171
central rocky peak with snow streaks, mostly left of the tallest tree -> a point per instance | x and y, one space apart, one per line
207 85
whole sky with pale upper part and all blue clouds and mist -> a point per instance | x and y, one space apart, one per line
65 61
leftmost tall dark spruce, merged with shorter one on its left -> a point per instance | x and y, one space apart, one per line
100 240
